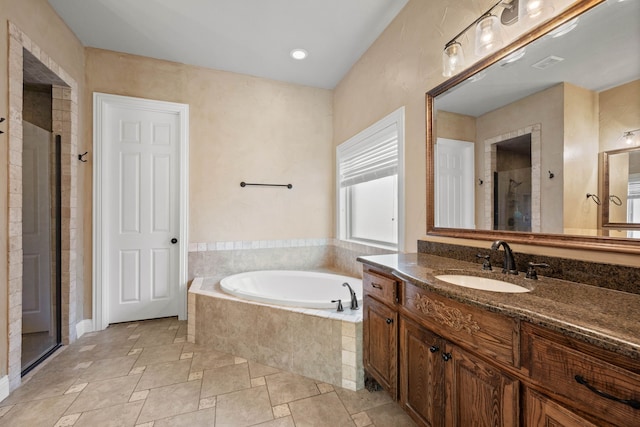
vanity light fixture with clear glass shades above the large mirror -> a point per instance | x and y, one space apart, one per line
487 31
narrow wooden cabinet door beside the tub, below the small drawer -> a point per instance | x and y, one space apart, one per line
380 341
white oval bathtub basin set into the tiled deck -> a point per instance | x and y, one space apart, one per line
305 289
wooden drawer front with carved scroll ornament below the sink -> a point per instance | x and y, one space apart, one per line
486 333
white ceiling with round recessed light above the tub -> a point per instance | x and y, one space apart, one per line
251 37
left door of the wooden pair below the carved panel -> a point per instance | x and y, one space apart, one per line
421 374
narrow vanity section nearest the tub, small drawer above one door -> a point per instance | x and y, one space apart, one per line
380 330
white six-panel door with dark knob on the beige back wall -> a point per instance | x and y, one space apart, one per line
141 210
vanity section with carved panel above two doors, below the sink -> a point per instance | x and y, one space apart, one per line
443 384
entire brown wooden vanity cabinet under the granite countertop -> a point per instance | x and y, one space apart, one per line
453 364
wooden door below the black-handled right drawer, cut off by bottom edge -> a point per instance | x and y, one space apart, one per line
540 411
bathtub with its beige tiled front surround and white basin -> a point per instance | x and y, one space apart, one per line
318 343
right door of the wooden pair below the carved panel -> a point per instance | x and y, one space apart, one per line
476 393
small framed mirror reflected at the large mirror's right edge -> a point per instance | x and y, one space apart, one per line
621 209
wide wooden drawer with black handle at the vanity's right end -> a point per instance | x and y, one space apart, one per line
602 386
